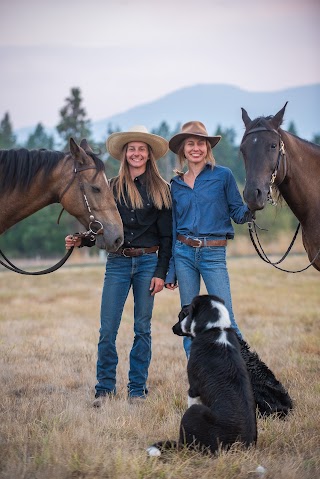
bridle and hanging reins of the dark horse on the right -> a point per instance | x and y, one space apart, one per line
252 226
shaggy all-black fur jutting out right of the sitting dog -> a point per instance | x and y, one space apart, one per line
270 395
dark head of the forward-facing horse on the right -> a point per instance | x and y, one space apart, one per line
261 148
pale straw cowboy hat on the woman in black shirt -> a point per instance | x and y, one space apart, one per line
117 141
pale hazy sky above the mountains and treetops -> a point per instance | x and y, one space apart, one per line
122 53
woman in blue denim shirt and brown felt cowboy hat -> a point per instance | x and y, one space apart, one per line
204 200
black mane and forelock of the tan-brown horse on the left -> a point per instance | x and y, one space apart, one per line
19 167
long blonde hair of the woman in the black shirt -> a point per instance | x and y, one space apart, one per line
157 188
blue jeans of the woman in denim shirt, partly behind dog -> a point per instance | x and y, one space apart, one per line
208 262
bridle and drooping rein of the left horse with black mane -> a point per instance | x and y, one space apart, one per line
95 228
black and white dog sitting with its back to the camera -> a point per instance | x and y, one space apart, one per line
220 398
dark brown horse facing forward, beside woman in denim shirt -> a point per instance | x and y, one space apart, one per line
274 157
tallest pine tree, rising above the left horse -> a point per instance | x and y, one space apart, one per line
73 120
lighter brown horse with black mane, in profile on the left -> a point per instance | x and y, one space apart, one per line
31 180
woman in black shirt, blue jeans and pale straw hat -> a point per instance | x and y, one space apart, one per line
144 203
